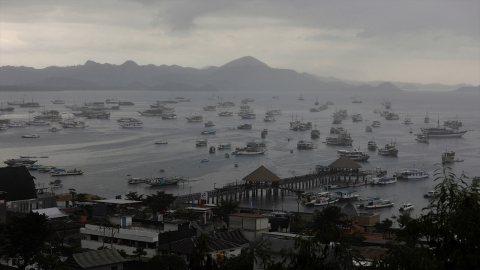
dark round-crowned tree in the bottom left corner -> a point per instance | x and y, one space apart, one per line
25 238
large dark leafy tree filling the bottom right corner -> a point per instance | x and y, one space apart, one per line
445 235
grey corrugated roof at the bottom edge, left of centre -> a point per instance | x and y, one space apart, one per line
98 258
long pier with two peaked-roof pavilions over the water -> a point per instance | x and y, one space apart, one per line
263 182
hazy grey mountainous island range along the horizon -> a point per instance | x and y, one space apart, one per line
245 73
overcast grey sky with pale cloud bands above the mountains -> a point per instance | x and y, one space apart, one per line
407 41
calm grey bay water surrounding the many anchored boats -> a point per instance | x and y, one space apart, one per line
107 153
